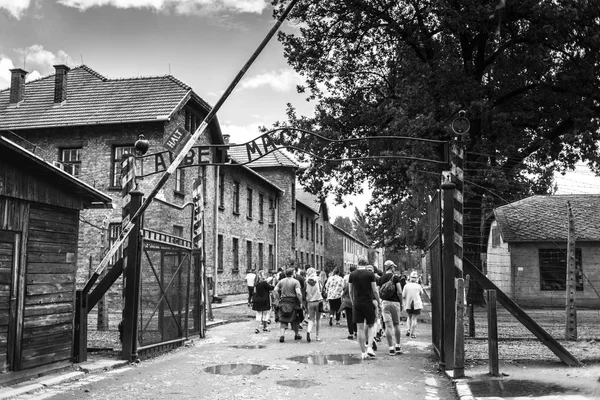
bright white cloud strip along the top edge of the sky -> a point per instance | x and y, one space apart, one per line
179 6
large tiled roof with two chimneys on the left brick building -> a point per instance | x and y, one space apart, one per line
93 99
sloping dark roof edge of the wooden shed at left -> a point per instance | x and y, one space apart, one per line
29 162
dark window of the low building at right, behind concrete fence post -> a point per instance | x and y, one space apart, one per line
553 269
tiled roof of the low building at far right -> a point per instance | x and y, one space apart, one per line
545 218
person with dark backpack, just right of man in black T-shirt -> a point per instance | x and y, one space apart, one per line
390 292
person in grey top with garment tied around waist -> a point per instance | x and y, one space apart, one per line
289 297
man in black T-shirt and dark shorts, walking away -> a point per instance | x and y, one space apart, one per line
363 289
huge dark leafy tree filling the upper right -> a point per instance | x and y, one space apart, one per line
525 72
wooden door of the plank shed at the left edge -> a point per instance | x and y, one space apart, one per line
8 267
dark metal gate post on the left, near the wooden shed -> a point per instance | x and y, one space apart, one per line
131 288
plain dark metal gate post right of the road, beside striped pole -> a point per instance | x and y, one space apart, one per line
447 281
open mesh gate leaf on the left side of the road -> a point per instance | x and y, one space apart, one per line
170 301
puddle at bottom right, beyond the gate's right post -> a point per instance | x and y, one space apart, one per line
516 388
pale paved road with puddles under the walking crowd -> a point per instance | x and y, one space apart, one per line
233 362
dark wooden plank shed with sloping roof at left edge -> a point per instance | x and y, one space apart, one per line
39 223
